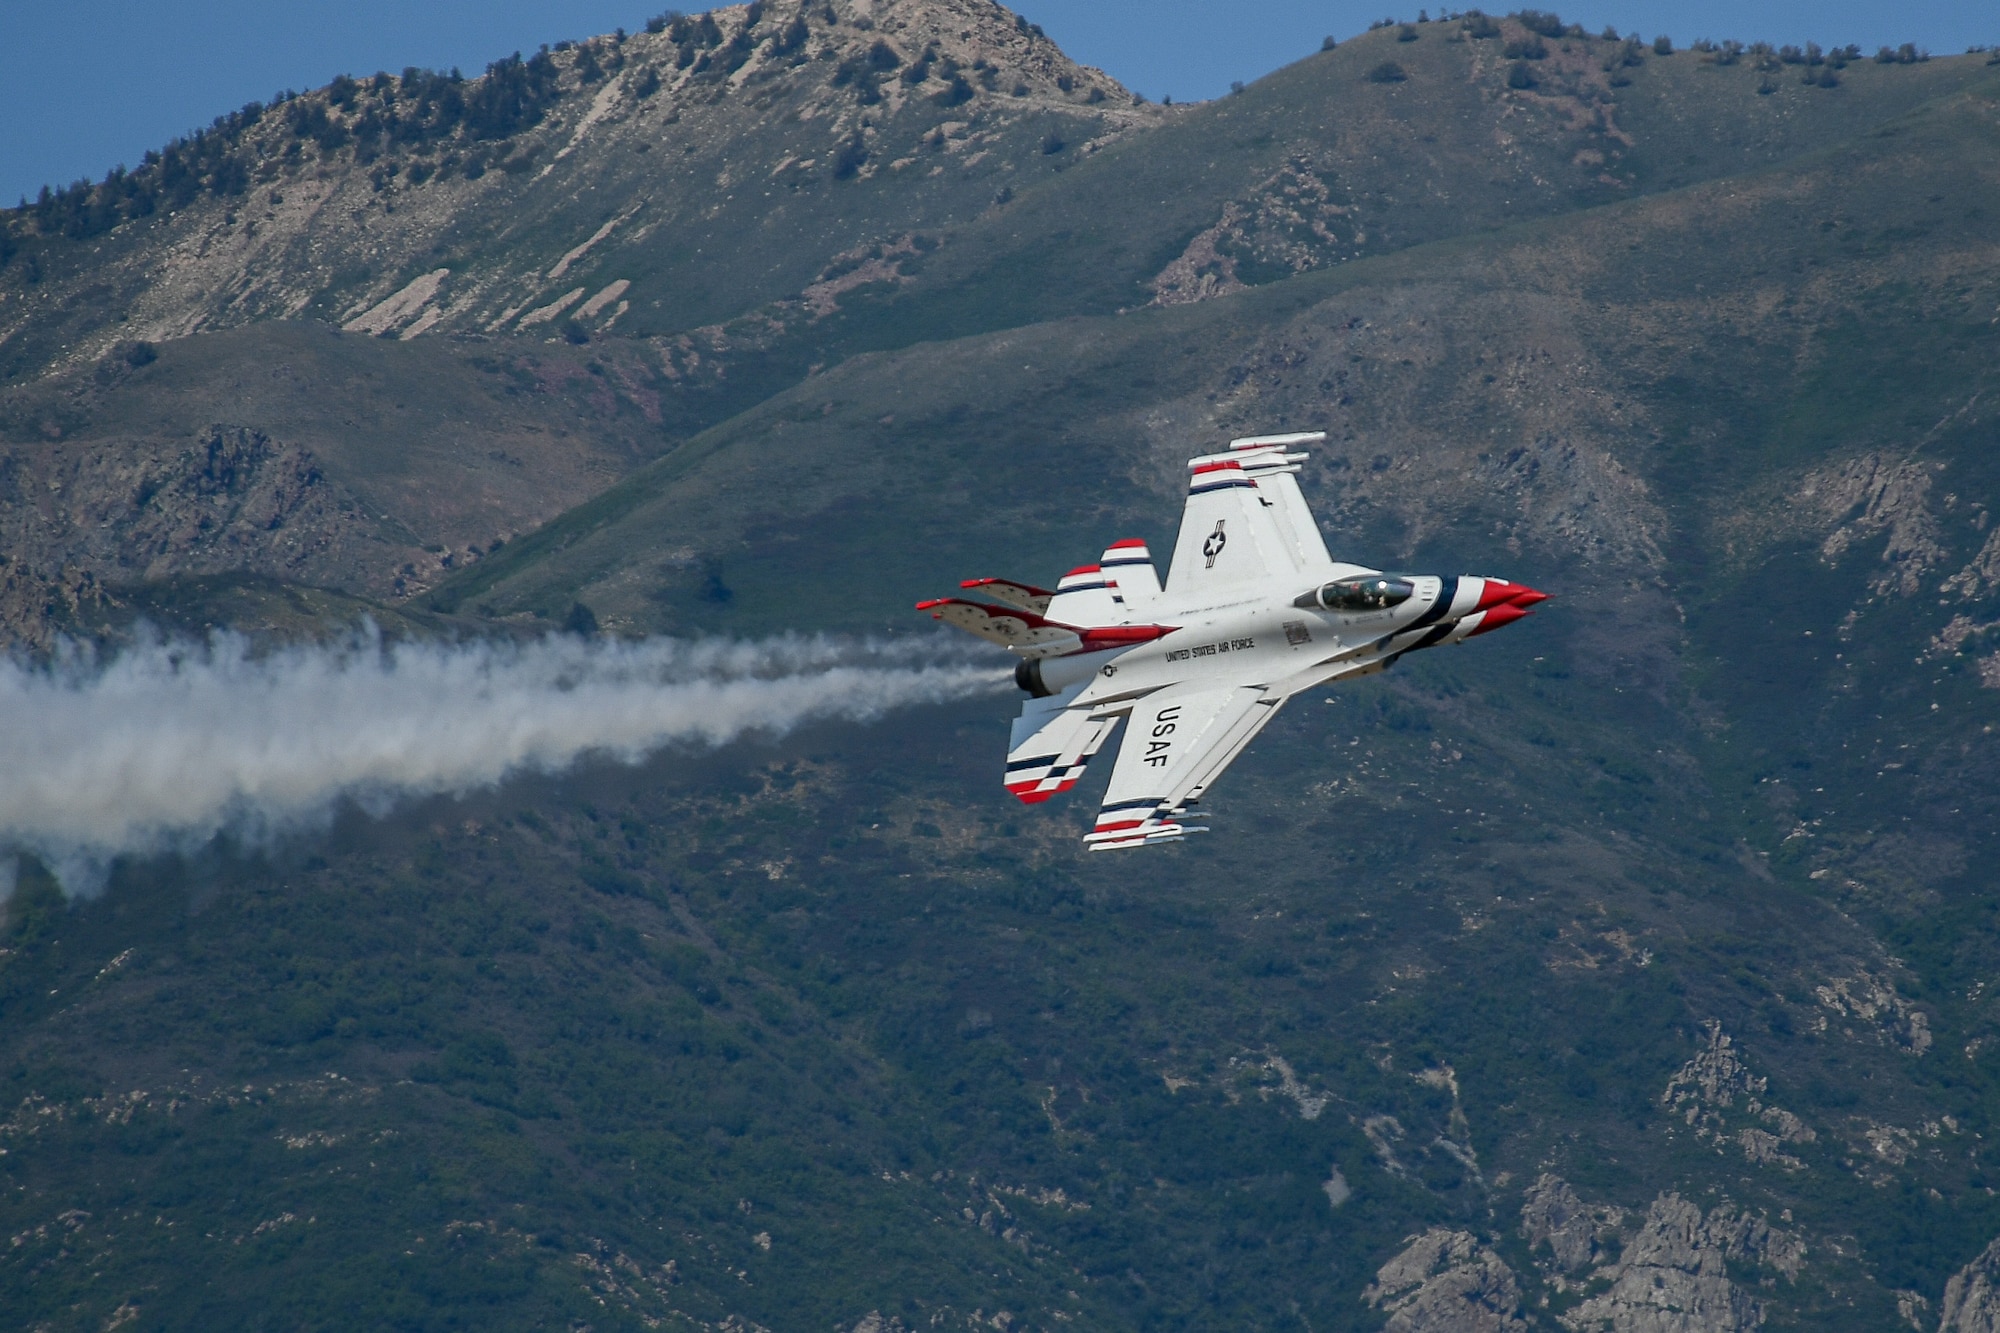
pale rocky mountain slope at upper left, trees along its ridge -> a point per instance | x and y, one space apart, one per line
679 177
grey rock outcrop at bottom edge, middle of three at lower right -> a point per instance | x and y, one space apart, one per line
1673 1276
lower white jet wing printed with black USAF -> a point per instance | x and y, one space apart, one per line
1177 744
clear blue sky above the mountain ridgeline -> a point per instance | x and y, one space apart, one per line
87 85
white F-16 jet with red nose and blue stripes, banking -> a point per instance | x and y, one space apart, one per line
1253 611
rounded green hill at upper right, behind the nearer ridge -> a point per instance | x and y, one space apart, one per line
1321 165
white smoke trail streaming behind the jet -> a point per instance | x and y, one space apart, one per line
171 744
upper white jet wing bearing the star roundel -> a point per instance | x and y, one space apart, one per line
1245 523
